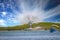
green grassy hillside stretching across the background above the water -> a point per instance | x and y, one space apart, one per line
46 25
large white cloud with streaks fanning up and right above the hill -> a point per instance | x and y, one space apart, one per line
37 14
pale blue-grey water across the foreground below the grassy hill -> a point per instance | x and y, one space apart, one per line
29 35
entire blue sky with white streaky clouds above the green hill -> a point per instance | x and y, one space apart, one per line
17 12
